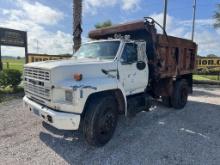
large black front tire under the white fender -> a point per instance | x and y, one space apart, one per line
100 120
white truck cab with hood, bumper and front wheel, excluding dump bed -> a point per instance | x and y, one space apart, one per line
90 89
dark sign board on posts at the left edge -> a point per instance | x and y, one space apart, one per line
15 38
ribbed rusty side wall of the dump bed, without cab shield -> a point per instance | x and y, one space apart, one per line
176 56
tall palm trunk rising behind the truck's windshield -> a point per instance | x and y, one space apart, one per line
77 21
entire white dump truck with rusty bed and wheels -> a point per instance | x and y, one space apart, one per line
122 70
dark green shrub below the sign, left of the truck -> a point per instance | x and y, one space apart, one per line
10 77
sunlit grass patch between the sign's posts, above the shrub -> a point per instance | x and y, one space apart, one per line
17 64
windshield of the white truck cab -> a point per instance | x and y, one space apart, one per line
100 50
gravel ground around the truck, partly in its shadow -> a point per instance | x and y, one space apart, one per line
162 136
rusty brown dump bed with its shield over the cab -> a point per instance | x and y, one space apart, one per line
168 56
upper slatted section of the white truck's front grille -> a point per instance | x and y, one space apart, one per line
36 73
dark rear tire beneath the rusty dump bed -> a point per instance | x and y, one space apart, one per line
180 94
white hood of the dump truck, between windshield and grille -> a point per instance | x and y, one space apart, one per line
64 69
